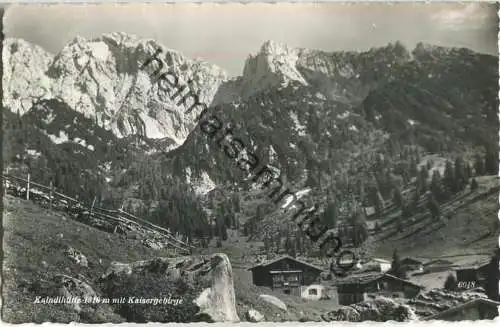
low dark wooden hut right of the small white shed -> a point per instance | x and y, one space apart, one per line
363 287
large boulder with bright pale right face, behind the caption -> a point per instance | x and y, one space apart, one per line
200 288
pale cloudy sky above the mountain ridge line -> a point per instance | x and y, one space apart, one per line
225 34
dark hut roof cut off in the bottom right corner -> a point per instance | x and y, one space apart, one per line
477 309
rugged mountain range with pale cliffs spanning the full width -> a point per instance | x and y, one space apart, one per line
328 121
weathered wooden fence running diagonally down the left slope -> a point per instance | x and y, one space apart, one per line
47 194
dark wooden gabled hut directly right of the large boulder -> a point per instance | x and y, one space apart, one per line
285 273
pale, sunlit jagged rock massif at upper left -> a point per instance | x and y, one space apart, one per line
103 79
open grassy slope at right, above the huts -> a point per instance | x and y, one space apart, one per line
465 229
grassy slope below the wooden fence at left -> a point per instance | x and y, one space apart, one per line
34 243
